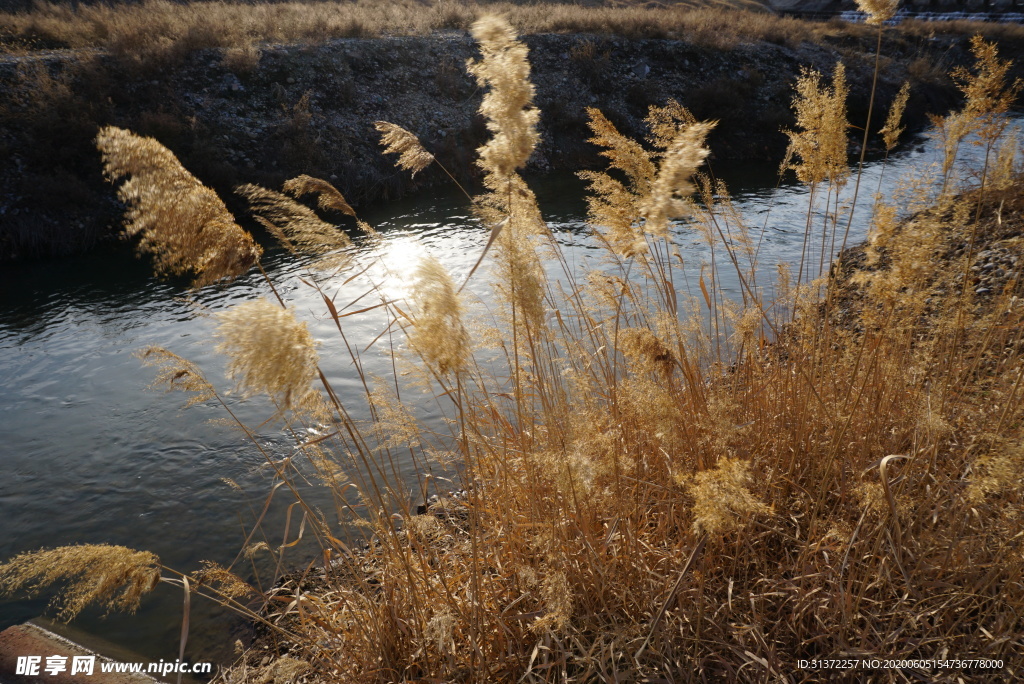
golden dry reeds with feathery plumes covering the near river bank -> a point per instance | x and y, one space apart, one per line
653 487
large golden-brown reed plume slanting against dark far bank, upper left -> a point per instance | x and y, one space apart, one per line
181 222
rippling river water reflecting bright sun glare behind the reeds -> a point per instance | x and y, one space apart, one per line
90 455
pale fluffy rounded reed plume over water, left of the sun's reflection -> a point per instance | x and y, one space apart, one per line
270 353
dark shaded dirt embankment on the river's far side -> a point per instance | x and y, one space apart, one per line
264 116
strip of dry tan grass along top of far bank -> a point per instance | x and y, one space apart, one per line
162 27
